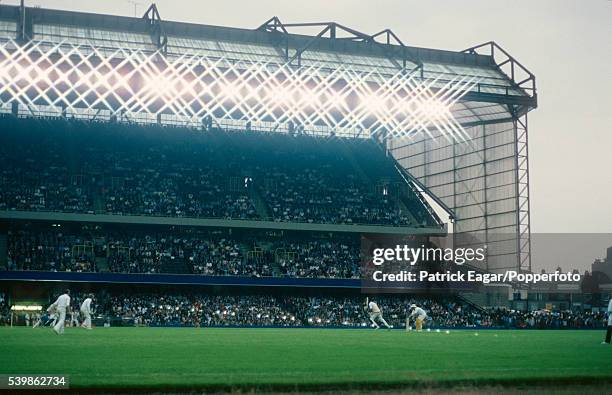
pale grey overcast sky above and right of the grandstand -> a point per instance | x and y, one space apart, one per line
567 44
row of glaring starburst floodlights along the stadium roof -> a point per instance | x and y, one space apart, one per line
193 87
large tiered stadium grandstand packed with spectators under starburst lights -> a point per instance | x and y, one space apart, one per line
229 174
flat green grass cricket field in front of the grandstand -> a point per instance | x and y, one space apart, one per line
306 359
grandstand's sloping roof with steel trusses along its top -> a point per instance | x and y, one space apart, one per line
492 85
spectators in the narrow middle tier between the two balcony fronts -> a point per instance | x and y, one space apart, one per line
89 248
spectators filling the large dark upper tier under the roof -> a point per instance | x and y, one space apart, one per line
90 167
